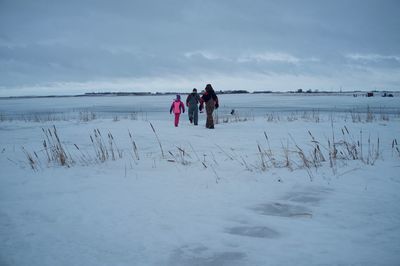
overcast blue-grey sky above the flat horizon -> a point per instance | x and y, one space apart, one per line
76 46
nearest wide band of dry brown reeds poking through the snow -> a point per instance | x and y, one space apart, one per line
334 151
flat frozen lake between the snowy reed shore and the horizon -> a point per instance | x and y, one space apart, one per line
157 107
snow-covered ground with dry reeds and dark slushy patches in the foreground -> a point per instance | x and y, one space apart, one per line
263 189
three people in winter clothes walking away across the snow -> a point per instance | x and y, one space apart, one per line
195 103
